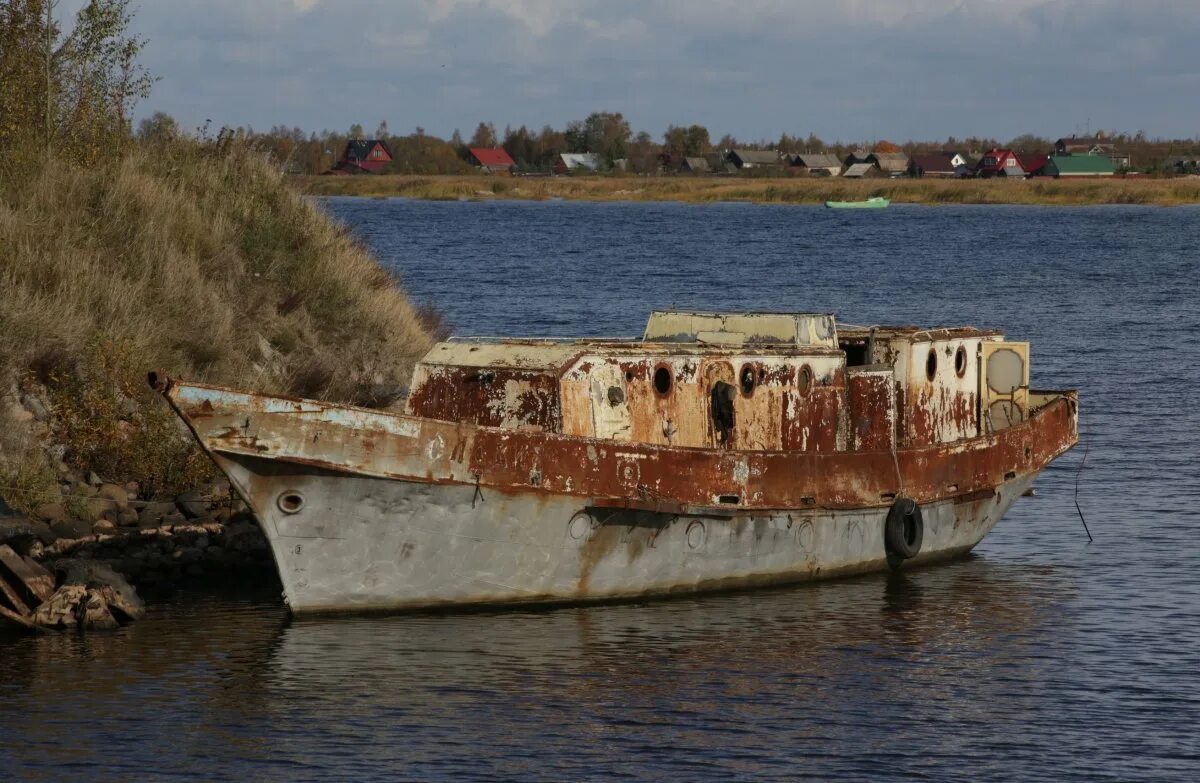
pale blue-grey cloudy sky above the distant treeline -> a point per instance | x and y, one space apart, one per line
851 70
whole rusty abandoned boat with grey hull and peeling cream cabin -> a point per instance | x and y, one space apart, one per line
719 451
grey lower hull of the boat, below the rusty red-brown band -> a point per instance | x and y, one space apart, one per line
363 543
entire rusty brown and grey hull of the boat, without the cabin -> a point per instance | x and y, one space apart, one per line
369 511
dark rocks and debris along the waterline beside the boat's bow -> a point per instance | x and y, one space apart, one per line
76 560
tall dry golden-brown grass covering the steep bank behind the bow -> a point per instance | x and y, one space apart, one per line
197 260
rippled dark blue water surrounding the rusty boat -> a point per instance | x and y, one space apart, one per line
1039 658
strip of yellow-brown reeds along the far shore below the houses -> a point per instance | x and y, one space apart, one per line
1046 192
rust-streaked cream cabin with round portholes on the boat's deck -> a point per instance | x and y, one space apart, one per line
795 382
